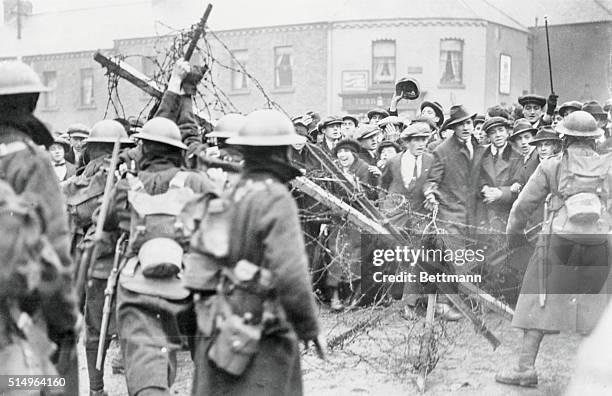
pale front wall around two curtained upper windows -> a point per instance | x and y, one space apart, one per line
417 56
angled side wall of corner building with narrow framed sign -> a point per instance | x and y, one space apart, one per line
514 44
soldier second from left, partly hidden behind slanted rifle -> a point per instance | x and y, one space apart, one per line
90 184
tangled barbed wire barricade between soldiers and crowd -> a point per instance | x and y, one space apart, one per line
333 241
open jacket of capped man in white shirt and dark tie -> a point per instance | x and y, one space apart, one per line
393 182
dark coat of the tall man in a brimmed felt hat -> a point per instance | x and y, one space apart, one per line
453 178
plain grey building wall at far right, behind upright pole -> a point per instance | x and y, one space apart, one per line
581 61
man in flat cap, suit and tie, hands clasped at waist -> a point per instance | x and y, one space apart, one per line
500 164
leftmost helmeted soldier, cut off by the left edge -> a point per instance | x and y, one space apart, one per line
26 168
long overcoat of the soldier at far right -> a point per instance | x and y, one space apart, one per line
565 307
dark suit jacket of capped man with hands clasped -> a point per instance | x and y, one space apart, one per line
501 174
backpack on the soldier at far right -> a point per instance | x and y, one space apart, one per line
580 204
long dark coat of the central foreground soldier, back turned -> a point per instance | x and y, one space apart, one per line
266 231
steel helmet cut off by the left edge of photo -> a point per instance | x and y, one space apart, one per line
18 78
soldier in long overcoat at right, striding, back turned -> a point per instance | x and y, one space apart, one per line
571 258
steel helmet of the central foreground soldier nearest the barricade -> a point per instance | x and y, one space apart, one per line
267 128
